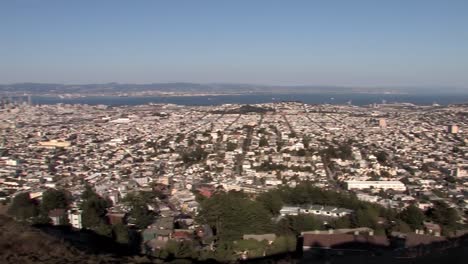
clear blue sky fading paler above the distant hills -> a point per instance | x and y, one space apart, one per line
347 42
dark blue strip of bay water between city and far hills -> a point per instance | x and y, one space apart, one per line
355 99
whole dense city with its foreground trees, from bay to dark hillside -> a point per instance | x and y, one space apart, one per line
314 173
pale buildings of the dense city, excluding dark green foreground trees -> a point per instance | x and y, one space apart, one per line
390 155
